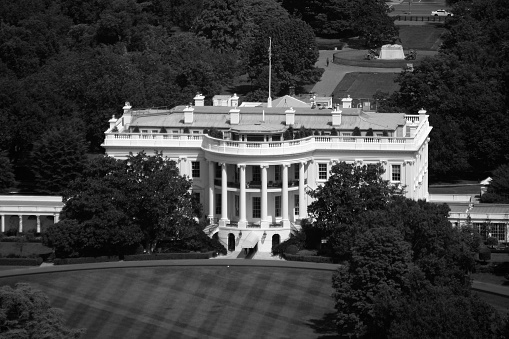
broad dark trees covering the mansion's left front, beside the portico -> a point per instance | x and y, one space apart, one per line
118 205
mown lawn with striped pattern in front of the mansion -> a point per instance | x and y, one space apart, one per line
192 302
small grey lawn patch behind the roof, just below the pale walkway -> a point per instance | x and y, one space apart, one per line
364 85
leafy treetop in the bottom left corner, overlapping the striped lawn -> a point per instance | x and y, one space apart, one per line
27 313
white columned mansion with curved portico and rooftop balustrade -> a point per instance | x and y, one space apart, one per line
252 164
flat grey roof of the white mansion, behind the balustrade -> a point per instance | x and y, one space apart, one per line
267 119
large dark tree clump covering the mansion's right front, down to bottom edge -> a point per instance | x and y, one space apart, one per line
401 259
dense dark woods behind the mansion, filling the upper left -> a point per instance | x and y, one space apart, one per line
63 60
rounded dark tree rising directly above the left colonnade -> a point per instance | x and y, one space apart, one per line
59 157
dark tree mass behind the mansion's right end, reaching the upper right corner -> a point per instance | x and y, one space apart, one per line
465 90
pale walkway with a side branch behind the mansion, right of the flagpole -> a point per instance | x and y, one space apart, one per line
334 73
